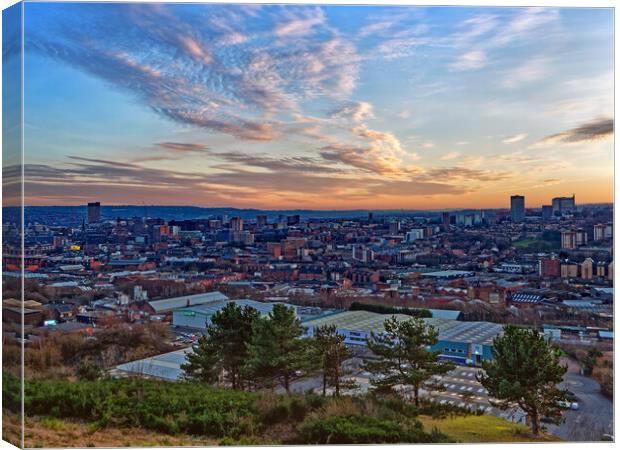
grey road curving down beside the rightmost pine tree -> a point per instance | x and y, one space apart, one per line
595 414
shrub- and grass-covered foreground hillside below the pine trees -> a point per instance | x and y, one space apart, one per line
137 412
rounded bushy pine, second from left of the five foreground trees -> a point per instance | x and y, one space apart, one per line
277 351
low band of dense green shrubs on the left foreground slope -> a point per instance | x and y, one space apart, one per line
165 407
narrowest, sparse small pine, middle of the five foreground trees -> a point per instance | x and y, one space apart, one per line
331 353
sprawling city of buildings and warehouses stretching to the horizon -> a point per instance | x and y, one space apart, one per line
473 272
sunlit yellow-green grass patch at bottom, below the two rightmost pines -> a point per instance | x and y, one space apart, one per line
472 429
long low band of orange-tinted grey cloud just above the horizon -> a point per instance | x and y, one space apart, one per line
245 180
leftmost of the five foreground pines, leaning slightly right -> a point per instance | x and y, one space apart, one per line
223 347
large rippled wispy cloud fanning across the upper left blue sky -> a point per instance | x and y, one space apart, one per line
197 69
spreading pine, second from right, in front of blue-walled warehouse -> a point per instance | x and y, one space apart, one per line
404 357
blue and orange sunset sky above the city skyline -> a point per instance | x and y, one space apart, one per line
316 107
